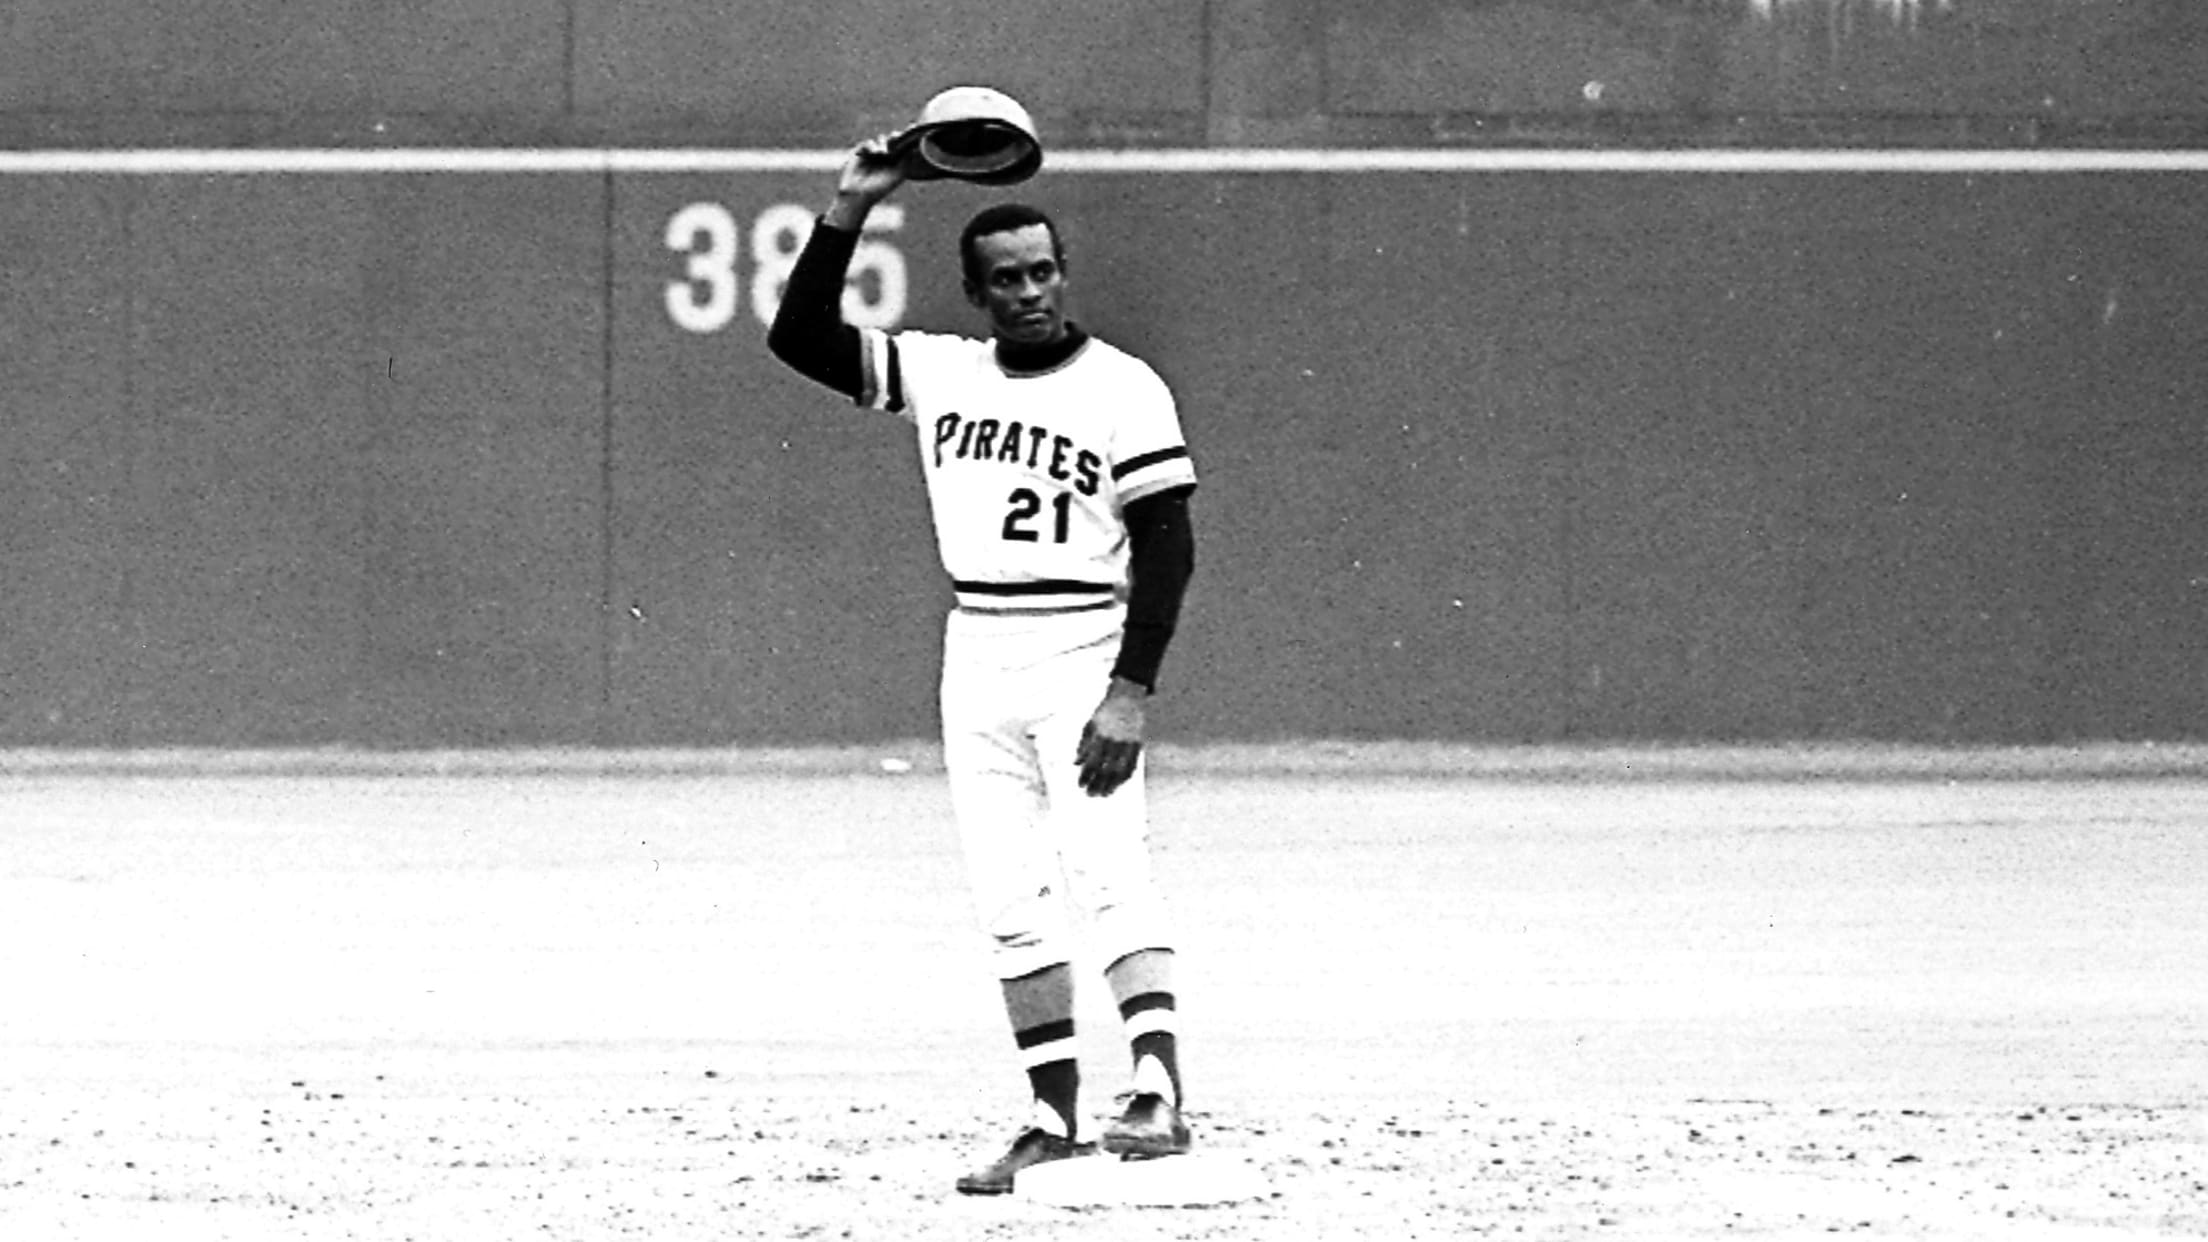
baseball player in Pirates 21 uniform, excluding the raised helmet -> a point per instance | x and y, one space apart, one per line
1059 483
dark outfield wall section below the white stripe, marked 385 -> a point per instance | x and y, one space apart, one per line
1492 454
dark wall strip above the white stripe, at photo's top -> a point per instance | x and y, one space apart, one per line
1103 72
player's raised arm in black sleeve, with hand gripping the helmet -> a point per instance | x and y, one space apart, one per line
809 328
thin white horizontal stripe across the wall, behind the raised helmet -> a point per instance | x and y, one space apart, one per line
1185 162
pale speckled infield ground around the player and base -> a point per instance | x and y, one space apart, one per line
750 1004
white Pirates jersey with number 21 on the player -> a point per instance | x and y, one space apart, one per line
1030 472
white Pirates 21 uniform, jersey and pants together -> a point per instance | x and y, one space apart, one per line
1028 481
